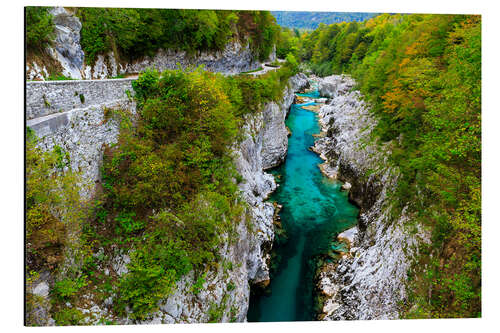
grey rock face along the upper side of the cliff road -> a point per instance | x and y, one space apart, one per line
68 54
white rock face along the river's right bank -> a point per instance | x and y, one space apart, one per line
371 279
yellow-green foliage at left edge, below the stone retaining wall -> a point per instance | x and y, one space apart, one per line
52 204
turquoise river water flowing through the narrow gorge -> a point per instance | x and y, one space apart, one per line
314 211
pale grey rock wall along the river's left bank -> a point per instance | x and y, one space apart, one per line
229 289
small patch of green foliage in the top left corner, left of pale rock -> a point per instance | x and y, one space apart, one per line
39 28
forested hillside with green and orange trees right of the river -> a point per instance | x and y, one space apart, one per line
422 76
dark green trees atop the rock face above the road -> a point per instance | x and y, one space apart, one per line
135 32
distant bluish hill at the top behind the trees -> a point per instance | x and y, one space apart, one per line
311 20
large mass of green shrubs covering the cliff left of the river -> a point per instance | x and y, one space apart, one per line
167 185
